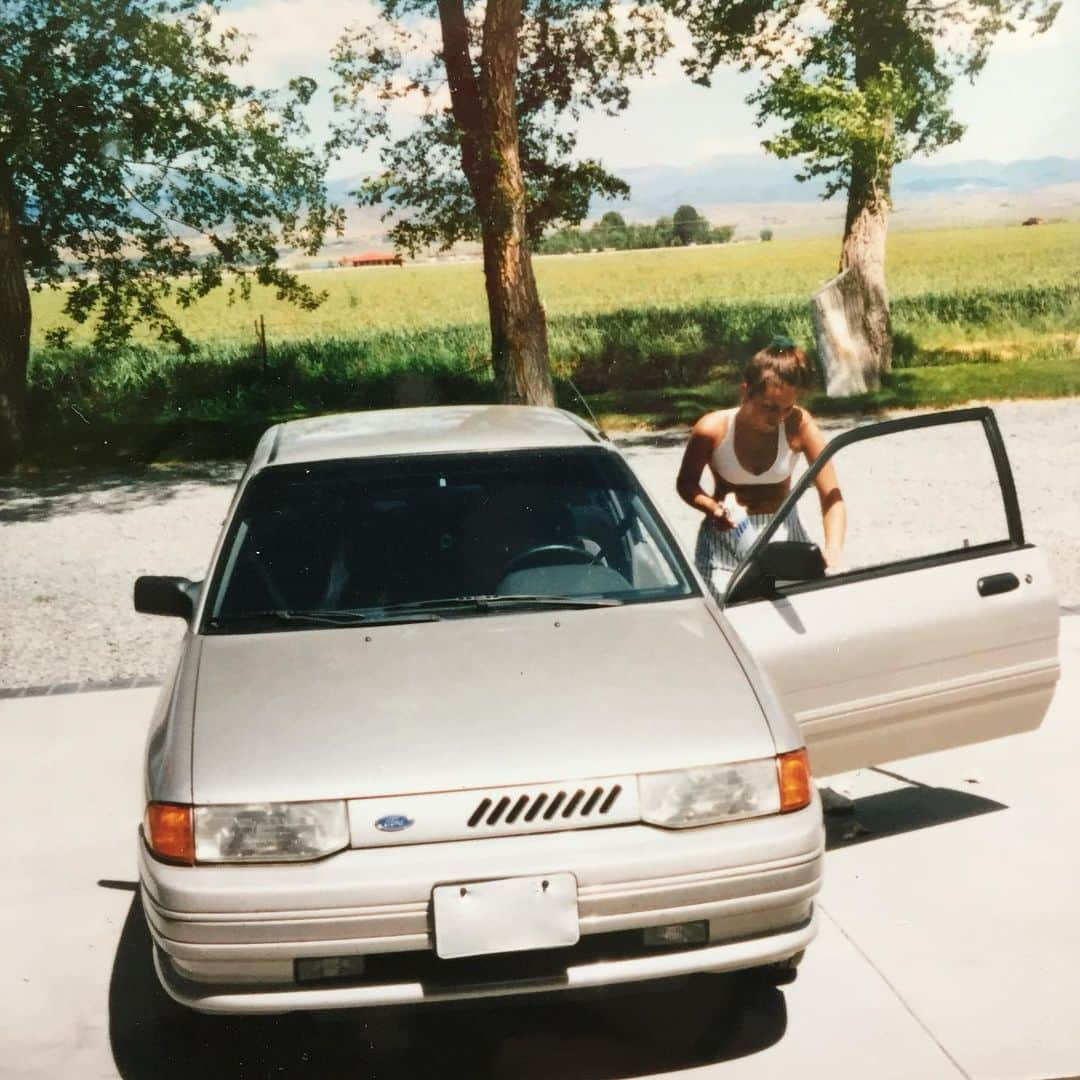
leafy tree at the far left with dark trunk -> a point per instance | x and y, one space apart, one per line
134 171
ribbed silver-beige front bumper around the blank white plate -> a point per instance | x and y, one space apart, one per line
227 937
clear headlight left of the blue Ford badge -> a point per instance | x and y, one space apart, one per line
271 832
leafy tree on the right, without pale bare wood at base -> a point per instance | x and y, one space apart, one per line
858 86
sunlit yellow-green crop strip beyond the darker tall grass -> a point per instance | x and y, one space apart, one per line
433 295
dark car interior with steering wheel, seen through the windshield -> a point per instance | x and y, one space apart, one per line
345 545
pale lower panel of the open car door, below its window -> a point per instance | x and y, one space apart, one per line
908 664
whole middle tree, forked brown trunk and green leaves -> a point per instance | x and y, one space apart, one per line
495 161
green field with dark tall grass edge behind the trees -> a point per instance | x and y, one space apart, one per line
650 337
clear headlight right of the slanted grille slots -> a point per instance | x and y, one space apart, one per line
710 794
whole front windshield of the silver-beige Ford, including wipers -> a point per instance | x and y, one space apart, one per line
440 536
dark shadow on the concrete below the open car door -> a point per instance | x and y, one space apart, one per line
903 811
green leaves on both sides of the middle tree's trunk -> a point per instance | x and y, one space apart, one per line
574 57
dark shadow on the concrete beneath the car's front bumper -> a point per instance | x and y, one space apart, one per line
654 1028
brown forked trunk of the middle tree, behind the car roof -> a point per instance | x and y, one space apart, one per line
487 115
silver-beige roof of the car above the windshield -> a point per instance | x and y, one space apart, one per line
444 429
